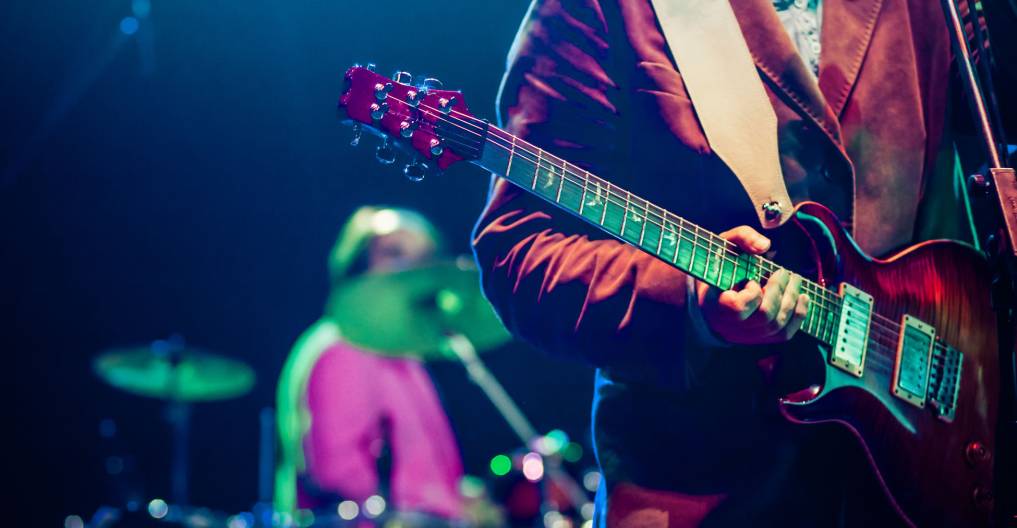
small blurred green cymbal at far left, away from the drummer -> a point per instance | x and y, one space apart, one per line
185 375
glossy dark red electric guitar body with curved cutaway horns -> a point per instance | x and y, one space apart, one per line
936 474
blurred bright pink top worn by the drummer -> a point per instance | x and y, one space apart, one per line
360 401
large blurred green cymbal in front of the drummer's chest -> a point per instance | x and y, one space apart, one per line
411 313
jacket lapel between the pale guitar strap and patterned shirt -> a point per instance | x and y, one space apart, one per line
777 57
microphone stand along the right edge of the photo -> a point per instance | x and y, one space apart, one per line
1000 182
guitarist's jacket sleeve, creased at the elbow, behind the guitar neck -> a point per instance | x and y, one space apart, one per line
557 282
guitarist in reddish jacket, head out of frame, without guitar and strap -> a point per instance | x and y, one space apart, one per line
685 418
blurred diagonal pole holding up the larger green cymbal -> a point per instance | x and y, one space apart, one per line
480 375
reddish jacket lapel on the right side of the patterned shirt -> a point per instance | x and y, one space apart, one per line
846 35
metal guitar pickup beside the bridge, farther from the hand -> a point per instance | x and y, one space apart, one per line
912 368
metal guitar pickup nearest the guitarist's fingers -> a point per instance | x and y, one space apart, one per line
853 331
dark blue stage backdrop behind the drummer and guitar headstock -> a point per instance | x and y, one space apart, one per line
191 179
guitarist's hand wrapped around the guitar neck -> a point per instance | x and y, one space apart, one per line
754 316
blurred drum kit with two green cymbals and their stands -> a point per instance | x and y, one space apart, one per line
436 313
